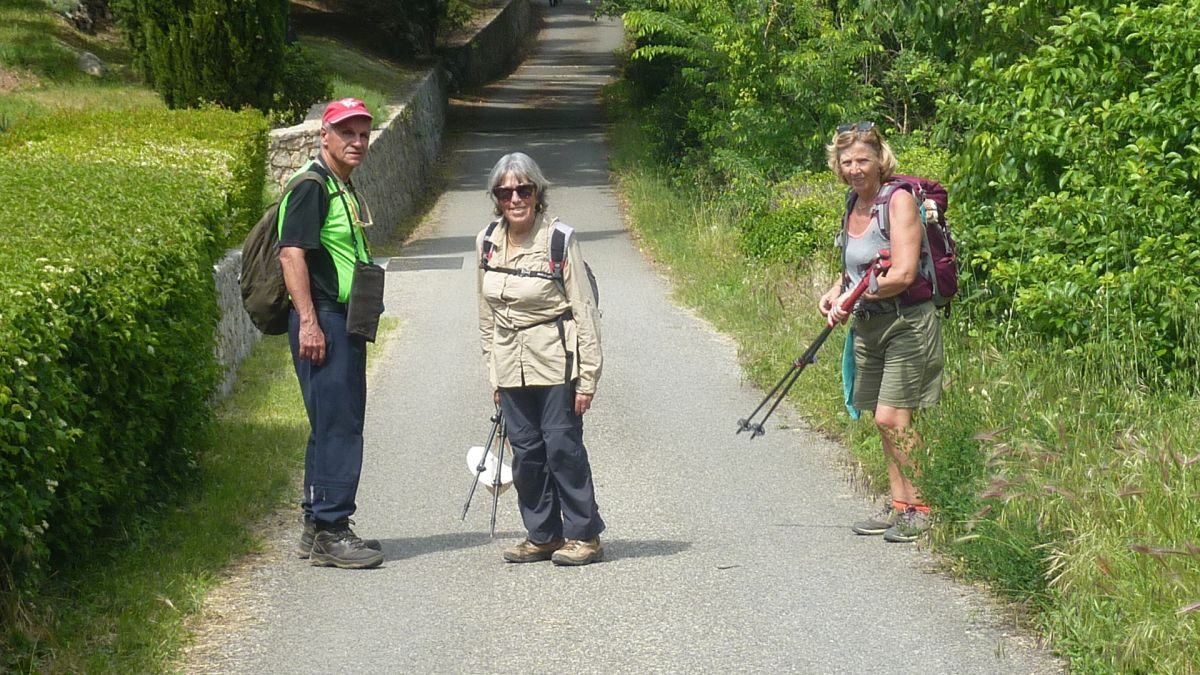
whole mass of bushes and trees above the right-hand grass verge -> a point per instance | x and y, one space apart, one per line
1073 134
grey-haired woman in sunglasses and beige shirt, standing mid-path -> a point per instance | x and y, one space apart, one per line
542 341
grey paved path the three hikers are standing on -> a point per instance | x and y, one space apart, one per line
724 555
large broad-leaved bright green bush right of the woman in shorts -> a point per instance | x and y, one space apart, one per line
1079 177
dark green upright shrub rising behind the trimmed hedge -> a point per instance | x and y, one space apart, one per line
209 51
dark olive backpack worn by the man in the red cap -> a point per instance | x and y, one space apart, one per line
263 294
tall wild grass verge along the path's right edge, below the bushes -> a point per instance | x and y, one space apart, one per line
1067 486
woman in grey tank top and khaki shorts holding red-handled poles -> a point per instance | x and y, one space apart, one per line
898 343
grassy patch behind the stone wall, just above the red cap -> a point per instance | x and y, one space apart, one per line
359 75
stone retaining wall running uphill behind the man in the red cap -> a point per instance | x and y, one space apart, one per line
395 174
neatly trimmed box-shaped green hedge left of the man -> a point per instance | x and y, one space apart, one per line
107 314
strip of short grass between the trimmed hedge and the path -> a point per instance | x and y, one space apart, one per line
127 607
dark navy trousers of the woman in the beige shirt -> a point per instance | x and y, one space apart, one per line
550 464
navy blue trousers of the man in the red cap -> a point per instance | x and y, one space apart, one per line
335 397
